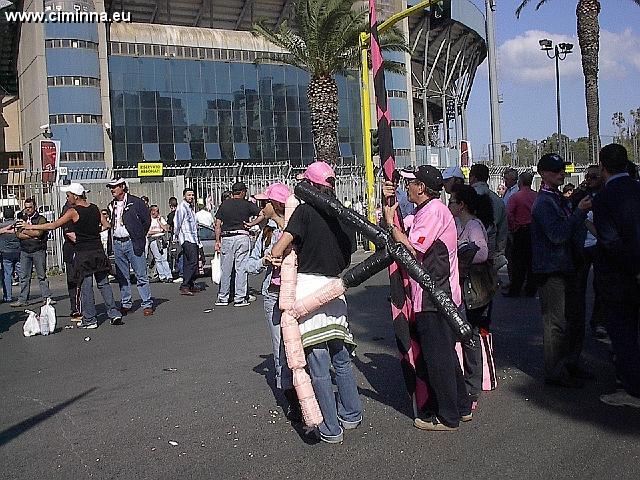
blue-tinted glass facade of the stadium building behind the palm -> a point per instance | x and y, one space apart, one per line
205 111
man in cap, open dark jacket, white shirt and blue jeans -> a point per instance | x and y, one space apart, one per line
130 222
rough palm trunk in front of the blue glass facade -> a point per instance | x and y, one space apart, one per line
323 104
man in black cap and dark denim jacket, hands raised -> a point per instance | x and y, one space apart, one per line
555 239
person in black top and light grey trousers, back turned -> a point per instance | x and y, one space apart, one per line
233 243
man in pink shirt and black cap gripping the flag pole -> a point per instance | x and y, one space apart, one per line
433 239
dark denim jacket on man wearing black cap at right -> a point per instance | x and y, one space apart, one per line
555 233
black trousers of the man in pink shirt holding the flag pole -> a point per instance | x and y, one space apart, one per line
448 397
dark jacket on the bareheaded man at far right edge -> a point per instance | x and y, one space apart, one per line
616 216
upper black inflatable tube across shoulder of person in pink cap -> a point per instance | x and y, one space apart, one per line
332 206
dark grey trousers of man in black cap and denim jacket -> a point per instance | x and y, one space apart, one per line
563 328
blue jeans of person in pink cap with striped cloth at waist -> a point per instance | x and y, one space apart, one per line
349 408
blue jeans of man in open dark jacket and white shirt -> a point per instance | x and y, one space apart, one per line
123 252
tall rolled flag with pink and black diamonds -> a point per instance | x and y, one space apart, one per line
401 305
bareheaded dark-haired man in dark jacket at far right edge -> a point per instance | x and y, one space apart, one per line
616 216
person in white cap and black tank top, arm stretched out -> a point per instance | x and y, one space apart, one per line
89 259
